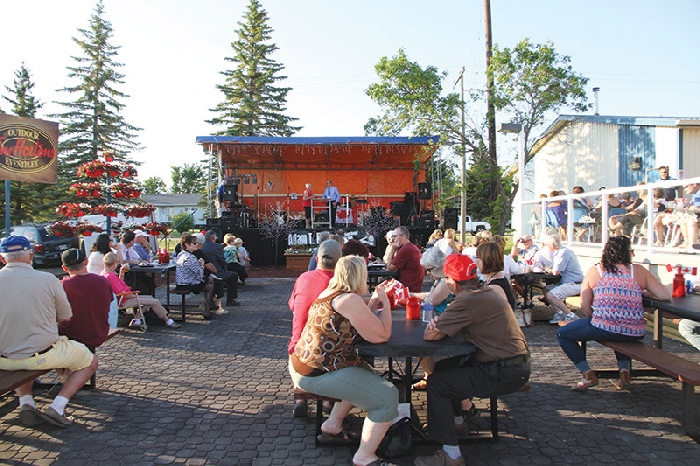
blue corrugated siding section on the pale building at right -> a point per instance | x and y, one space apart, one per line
635 141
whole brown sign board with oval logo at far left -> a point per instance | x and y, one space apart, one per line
28 149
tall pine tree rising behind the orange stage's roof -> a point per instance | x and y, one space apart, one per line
253 106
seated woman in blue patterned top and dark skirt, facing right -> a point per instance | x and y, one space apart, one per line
189 273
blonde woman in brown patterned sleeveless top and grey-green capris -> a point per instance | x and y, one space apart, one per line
326 362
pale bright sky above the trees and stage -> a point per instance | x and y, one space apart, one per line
639 53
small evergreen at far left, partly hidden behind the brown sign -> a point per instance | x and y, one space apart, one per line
29 201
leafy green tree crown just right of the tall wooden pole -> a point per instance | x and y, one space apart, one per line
532 81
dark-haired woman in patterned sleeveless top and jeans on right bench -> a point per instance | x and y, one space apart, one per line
611 297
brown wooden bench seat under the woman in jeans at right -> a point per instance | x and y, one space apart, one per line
687 372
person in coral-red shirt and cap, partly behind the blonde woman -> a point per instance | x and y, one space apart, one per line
306 289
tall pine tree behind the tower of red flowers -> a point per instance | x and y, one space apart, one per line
94 122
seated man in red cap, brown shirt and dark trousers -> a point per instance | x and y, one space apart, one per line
500 365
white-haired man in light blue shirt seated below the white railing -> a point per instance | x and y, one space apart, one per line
557 260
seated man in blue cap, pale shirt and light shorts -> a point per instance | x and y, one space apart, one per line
29 336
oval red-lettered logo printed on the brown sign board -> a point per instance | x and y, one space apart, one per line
25 149
